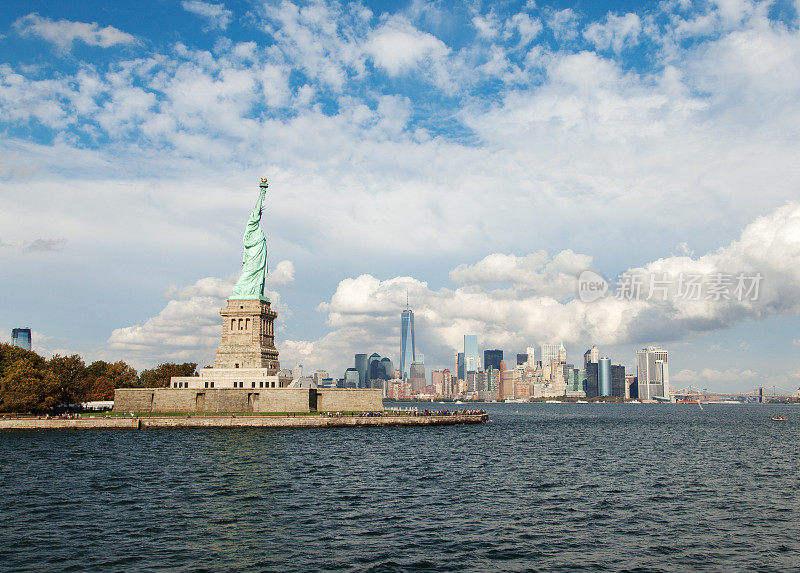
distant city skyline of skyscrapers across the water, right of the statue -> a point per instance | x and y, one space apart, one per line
492 379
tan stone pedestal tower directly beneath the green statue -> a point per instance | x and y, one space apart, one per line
248 337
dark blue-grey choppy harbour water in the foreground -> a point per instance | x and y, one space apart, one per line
540 487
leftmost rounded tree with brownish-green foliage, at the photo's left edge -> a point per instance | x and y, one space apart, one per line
28 386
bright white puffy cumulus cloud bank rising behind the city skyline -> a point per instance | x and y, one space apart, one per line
363 312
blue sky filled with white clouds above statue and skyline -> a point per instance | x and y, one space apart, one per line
477 155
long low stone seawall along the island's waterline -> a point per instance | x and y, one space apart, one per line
236 422
